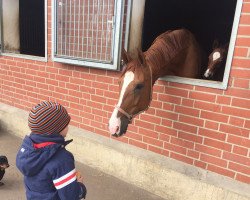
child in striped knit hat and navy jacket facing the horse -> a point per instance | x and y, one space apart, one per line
48 168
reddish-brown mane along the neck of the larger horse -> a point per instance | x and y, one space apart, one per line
166 46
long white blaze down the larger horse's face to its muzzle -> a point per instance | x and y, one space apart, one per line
114 121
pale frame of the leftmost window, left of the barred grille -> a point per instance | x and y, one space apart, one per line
24 56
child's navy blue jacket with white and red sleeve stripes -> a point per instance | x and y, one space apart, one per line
48 169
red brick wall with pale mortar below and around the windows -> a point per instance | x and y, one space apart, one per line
207 128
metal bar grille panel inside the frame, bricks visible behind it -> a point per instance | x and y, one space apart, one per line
84 29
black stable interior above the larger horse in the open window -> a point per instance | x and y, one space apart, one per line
207 20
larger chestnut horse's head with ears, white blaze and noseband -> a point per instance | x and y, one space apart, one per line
135 93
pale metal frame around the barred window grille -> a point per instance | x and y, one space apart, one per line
117 36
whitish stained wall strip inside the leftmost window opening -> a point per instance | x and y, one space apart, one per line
10 27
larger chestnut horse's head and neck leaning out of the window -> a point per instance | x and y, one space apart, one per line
172 53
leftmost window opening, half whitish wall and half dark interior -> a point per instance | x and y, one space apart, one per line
23 28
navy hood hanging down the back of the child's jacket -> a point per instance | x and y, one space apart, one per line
30 160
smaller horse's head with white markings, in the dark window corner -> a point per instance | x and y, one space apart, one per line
216 60
